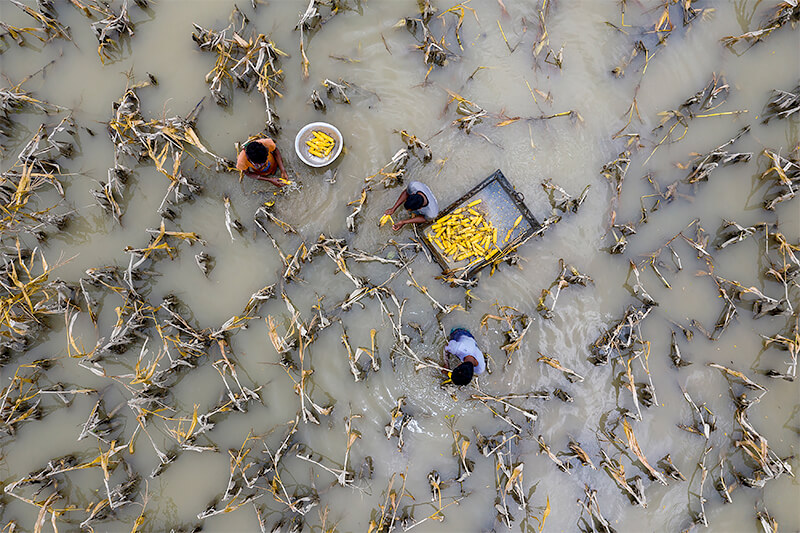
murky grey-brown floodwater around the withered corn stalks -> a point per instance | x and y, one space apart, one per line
390 92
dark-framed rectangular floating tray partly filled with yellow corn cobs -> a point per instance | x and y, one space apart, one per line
479 228
